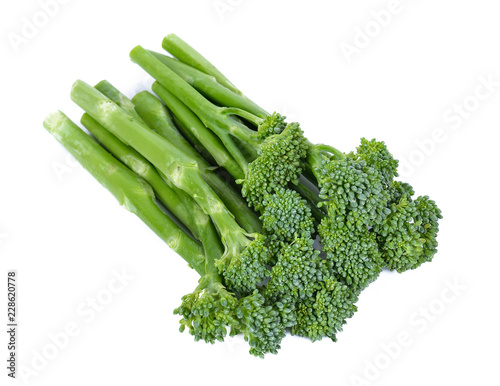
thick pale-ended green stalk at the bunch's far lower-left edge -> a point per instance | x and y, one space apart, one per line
130 190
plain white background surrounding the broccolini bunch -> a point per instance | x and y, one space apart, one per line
66 235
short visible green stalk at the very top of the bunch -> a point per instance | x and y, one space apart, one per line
185 53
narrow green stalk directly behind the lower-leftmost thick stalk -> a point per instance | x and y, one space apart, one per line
143 168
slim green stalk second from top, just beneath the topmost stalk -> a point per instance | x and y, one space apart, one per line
209 87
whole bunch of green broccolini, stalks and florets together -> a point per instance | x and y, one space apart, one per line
284 234
